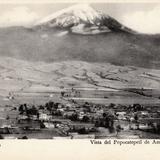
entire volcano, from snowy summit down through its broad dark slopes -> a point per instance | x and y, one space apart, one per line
60 37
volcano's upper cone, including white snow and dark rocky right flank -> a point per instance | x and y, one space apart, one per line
83 19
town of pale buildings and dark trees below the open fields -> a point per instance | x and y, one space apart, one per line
73 120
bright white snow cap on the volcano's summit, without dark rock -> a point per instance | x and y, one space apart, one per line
73 14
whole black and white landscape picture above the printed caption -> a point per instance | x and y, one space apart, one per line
80 71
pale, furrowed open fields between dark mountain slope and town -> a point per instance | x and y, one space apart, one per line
32 80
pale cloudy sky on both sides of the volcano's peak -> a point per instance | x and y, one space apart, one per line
143 17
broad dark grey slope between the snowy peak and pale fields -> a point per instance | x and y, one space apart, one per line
57 45
